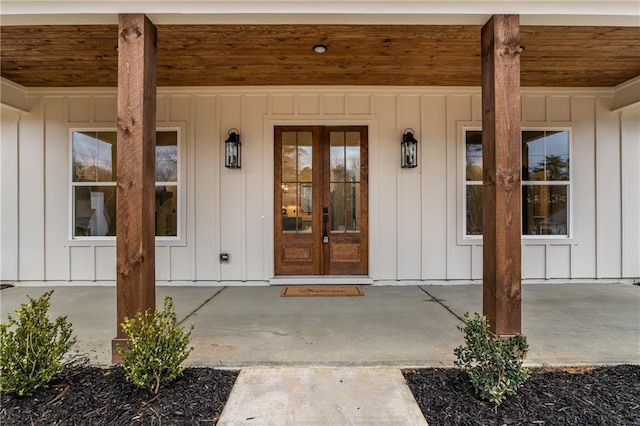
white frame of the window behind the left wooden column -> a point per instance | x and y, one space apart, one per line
178 239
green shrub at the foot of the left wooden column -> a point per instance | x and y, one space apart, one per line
156 347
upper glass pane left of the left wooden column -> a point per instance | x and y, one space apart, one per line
94 156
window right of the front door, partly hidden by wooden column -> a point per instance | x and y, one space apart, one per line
546 182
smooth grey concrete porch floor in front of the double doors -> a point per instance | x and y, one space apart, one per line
391 326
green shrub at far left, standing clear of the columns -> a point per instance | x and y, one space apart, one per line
31 354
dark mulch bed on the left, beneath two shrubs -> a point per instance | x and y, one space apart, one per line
85 395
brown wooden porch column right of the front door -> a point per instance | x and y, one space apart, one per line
501 170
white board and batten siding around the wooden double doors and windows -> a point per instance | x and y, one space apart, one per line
415 215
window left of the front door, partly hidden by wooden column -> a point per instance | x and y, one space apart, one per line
93 183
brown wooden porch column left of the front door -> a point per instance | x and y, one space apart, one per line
135 205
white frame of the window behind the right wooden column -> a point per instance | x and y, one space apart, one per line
569 184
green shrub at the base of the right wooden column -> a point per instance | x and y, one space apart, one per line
494 364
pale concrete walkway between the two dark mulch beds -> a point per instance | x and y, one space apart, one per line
321 396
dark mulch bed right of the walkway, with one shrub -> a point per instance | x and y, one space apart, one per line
600 396
